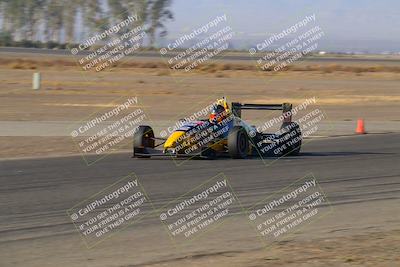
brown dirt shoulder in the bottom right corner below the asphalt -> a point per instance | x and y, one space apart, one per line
373 249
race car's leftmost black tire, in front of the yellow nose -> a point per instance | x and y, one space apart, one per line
142 139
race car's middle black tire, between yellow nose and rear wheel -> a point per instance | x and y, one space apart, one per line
238 143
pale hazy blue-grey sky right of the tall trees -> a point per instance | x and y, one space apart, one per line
349 25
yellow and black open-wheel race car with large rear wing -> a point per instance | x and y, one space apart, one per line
224 133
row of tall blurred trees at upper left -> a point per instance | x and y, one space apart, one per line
56 22
